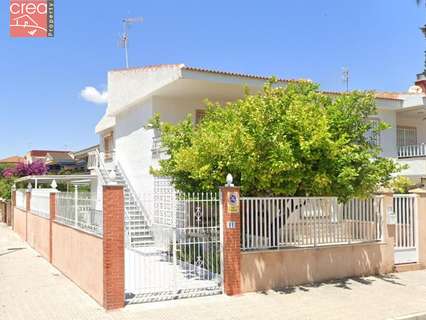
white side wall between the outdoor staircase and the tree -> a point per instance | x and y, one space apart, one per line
133 145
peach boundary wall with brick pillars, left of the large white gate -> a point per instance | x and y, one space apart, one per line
107 286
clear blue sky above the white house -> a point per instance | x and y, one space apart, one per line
41 79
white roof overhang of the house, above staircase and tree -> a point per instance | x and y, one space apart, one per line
130 87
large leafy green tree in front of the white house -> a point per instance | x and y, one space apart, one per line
292 141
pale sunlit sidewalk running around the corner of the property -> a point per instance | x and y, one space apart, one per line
32 289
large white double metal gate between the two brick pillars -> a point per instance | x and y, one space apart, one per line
184 258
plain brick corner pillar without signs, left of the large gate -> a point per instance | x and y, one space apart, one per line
113 243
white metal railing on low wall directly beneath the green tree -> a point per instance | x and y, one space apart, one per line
281 222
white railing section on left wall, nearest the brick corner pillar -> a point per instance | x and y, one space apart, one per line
79 211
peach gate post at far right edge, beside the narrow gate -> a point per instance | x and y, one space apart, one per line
421 225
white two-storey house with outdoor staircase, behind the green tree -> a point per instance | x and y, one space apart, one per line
176 90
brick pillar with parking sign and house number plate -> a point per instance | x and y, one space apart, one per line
230 197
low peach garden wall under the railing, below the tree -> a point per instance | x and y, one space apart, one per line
264 270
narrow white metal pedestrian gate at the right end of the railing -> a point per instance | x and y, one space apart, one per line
406 228
